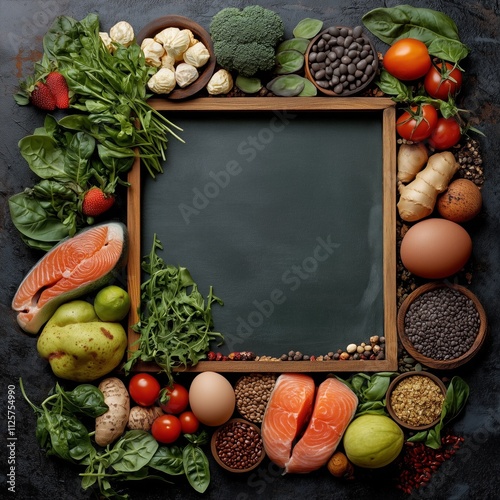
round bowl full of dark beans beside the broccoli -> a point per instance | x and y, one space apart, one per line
341 61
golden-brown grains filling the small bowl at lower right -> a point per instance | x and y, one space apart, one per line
417 400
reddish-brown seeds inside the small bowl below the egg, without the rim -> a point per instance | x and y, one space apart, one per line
239 445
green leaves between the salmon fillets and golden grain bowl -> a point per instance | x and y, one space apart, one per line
370 390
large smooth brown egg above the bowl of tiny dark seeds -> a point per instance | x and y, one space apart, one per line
435 248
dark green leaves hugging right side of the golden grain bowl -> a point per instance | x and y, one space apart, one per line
456 397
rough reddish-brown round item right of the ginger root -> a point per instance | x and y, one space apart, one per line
461 202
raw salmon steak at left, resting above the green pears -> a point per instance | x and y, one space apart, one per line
73 267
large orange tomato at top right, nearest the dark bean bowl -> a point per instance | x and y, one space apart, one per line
407 59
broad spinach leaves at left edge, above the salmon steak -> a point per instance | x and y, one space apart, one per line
67 163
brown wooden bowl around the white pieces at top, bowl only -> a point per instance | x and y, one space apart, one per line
157 25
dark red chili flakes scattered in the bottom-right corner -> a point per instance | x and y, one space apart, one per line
419 462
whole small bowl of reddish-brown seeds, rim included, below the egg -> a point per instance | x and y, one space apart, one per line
237 446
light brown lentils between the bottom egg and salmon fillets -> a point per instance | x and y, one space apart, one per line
252 395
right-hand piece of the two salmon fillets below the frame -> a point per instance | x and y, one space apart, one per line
334 408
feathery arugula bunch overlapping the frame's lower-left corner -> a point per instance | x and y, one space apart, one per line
175 324
